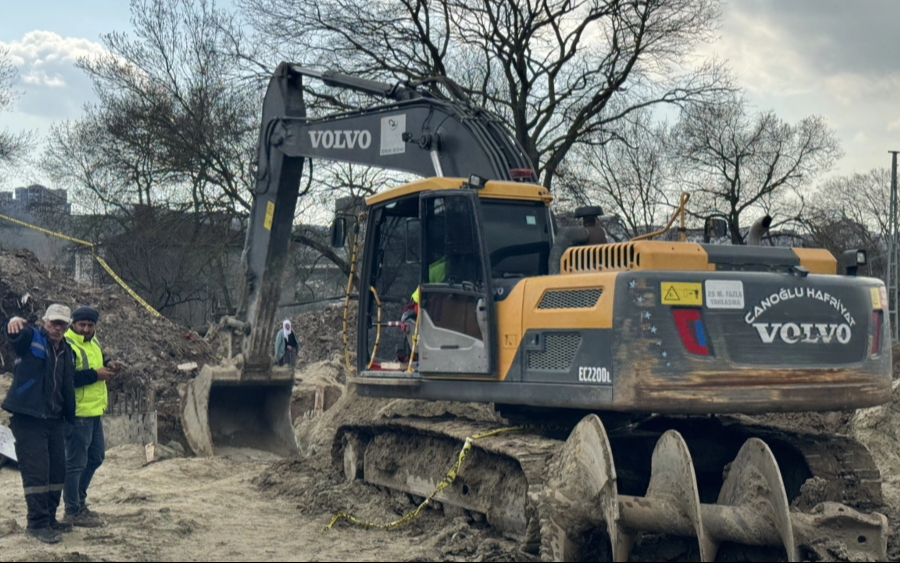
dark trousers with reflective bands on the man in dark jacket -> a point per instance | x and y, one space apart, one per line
40 447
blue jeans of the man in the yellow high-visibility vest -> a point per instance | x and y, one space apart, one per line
85 450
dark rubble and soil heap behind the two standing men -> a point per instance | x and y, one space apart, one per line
152 347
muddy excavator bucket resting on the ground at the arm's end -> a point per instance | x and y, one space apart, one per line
223 410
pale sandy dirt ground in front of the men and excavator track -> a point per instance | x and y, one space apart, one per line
240 509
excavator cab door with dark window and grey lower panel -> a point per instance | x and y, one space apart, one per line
456 313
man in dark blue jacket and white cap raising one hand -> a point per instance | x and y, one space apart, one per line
41 397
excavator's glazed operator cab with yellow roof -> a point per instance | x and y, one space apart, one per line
475 246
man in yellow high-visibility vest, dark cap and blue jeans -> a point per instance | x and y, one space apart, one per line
85 446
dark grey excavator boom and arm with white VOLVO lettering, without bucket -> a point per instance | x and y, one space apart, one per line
415 132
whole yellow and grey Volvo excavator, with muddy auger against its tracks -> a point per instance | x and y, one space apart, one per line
637 370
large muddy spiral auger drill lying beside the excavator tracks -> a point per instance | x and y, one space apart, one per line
752 507
